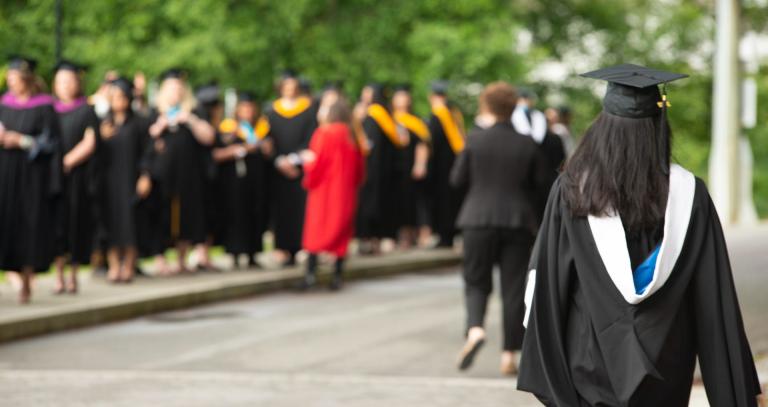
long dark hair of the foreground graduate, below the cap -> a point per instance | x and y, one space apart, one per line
618 167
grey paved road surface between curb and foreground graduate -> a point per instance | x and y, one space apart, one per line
379 343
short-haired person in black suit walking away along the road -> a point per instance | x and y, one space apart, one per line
505 173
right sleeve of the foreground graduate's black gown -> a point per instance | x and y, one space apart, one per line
725 358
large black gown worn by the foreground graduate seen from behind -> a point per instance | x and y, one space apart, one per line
586 346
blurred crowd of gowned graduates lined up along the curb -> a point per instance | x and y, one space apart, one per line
108 178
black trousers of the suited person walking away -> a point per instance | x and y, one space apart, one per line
510 249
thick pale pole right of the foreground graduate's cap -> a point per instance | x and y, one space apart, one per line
723 160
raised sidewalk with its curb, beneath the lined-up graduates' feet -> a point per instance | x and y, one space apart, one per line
100 302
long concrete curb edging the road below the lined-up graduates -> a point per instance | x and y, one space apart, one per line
111 310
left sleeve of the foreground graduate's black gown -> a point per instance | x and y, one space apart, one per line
544 368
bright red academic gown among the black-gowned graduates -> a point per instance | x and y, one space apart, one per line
332 182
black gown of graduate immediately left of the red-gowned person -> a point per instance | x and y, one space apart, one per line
290 135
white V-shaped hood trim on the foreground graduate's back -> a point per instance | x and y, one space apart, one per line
608 233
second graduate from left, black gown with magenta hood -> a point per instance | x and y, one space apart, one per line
79 141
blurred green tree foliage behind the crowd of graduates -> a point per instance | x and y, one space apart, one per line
246 44
